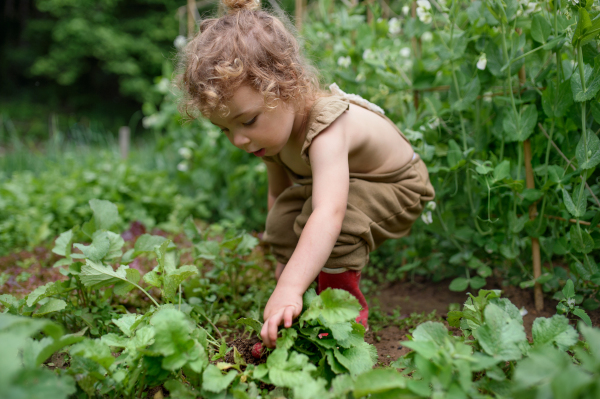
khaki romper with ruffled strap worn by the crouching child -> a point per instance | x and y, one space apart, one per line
380 206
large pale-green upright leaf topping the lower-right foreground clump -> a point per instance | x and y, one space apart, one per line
500 336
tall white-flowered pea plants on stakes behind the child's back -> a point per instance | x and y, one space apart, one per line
500 99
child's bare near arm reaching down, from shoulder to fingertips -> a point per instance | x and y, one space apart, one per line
329 162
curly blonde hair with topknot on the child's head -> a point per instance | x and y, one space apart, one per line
245 46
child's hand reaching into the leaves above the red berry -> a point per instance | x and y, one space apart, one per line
283 306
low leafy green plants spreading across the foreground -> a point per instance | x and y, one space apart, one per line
113 330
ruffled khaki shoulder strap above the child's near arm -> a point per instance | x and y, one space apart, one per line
325 110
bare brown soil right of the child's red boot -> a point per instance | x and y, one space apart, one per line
426 296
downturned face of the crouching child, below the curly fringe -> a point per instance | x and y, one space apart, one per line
253 128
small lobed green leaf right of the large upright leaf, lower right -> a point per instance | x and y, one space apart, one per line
555 330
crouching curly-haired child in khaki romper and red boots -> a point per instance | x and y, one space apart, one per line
342 177
